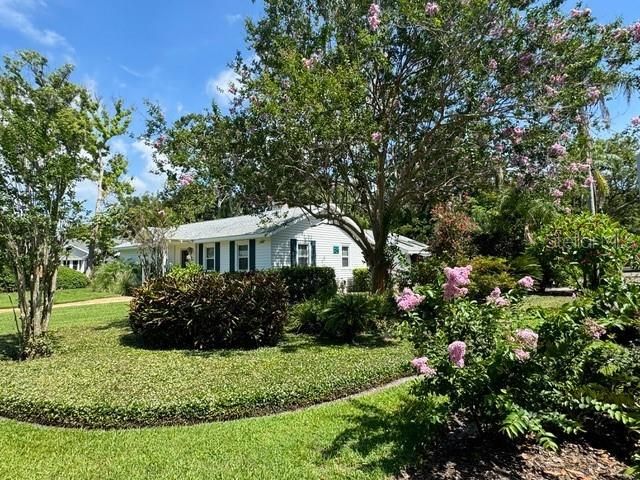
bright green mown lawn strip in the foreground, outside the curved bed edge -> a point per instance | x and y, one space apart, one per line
353 439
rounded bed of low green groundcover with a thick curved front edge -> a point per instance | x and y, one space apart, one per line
100 376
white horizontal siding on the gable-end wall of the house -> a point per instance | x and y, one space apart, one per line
326 237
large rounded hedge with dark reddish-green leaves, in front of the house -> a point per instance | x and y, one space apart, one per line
207 311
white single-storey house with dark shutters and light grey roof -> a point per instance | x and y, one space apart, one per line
257 242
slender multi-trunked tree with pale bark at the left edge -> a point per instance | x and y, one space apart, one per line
45 144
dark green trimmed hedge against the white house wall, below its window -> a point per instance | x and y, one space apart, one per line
305 283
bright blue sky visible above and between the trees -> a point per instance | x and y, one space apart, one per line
175 53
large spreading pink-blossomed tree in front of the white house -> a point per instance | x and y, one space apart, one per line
355 110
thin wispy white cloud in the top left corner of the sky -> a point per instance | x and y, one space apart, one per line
16 15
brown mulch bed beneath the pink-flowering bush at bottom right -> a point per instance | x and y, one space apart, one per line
489 461
